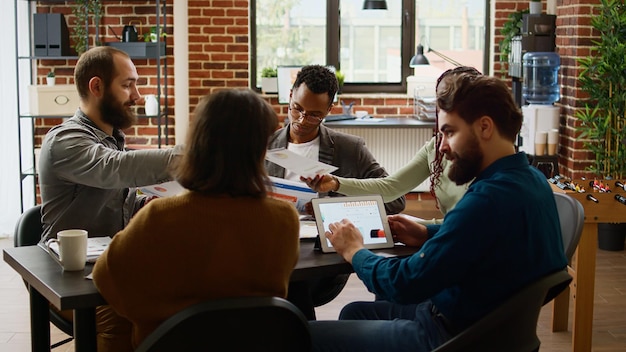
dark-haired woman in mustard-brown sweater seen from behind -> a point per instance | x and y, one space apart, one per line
224 237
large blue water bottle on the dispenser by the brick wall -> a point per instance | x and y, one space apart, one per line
541 81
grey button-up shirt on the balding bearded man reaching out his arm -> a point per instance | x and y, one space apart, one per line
87 180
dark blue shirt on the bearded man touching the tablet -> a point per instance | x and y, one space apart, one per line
503 234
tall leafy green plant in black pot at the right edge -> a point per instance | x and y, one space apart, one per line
602 78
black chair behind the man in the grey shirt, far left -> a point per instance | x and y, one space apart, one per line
28 232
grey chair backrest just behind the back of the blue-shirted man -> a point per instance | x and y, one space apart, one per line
572 218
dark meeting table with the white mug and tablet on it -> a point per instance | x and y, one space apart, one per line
70 290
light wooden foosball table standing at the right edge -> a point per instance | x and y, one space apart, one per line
607 209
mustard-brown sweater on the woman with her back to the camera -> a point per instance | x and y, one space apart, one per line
182 250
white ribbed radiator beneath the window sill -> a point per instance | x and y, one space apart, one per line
393 147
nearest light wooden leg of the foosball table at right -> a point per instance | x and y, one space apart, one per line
584 285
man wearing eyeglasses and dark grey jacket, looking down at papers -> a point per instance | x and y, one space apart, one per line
310 100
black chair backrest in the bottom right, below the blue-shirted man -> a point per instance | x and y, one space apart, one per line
511 327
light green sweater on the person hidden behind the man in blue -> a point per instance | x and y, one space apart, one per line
406 179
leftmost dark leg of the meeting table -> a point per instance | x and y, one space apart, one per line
39 322
